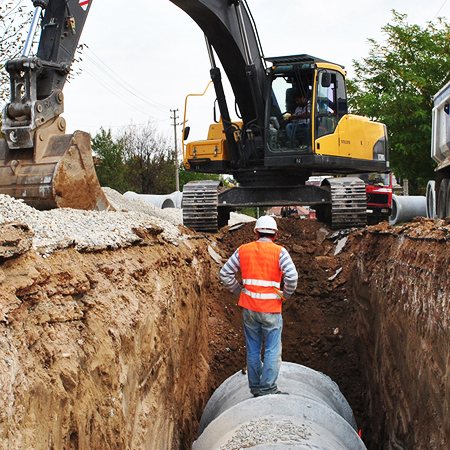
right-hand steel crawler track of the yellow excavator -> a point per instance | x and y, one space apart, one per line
348 202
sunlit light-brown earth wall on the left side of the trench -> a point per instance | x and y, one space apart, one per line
103 350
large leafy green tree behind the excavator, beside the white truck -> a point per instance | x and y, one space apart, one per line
395 85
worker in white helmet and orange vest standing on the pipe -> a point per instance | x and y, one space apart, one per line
263 265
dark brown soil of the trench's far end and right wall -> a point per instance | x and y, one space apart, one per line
373 317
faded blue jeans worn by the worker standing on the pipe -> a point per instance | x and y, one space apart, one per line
262 377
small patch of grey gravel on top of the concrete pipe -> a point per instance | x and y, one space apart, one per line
265 431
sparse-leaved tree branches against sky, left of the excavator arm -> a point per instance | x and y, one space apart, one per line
14 16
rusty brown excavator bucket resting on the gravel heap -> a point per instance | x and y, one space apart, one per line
58 173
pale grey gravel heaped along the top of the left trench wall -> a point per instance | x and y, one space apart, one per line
84 230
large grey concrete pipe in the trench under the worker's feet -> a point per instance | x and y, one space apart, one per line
315 415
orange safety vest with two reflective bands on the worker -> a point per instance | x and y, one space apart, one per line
261 276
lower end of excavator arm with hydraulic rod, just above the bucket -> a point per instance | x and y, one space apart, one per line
37 82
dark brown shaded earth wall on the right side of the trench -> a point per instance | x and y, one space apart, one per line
401 285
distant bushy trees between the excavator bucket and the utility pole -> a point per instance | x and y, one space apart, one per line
138 160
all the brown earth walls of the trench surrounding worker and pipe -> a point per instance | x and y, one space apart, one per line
120 349
